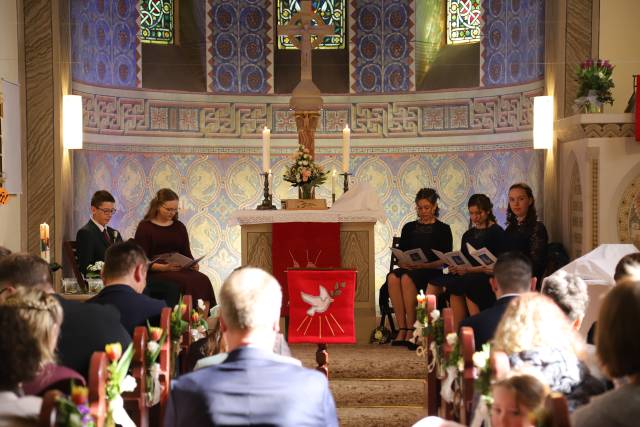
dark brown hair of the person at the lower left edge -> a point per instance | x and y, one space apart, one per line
19 348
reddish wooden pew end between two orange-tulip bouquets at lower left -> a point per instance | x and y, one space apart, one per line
135 401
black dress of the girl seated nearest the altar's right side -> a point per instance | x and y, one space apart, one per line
426 237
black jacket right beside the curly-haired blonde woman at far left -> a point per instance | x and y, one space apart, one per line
87 328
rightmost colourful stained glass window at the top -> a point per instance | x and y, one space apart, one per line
463 21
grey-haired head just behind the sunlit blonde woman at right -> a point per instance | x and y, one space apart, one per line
569 292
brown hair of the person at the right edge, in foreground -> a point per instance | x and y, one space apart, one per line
618 348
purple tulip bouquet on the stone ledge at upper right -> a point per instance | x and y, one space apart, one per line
594 85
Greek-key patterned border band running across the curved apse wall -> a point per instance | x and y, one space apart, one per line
138 113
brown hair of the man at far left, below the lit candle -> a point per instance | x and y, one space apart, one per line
25 270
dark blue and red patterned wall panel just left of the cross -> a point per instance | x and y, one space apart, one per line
239 52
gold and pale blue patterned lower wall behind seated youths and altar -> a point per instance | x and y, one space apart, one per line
212 184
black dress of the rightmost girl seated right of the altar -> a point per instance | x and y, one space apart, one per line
531 239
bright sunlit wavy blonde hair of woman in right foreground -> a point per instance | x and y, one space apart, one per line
534 321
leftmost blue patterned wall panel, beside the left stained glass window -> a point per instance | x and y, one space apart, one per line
104 42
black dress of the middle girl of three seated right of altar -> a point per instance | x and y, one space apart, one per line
475 286
